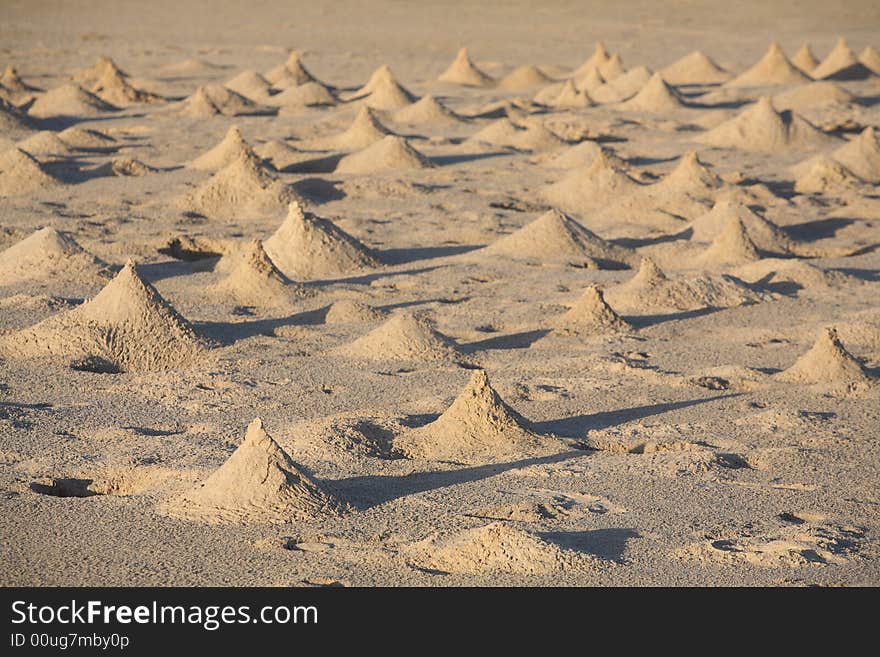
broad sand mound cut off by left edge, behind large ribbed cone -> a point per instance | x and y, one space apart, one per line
48 254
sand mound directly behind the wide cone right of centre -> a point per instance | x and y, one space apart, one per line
586 188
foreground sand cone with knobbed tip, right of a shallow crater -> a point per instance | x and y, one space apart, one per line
479 427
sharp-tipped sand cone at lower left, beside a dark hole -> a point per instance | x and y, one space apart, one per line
258 483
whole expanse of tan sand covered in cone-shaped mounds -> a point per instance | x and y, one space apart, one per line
440 294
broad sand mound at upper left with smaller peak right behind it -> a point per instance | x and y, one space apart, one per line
244 186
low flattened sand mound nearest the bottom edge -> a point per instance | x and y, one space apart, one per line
493 548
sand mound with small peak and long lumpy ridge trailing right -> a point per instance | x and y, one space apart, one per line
650 290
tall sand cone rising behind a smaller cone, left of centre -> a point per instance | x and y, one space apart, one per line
306 247
